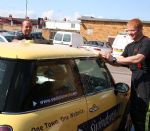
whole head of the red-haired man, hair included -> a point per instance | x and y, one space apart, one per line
135 29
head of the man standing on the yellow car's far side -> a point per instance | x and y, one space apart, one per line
26 27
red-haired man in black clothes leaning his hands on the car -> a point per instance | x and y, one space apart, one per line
137 57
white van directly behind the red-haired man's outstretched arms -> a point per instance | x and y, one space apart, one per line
120 42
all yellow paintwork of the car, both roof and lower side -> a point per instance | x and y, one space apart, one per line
61 116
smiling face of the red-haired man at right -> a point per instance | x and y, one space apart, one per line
134 32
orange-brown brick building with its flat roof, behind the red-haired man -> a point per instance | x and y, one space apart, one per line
102 29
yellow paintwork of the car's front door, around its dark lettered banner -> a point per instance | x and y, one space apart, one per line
105 101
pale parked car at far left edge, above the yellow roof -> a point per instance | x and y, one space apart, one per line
6 37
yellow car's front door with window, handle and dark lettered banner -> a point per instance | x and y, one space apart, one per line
105 108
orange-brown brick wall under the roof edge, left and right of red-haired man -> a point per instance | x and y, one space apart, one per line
104 30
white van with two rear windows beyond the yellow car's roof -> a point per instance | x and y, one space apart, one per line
68 38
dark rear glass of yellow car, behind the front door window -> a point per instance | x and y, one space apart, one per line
36 85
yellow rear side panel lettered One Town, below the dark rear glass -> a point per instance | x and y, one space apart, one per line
54 118
